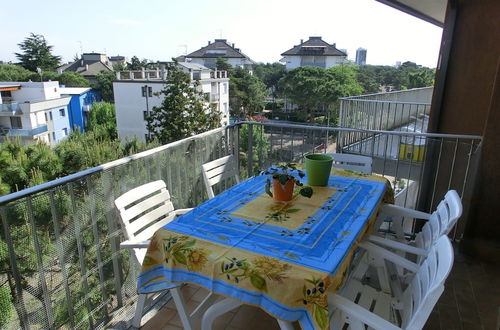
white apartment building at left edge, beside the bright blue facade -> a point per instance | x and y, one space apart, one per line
33 111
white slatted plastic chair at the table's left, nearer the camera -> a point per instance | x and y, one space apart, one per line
143 210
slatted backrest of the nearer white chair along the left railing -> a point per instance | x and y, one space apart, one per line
143 210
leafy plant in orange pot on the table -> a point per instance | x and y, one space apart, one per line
284 181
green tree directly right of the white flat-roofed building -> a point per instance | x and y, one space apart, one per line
246 93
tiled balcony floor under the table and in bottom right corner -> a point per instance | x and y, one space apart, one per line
471 301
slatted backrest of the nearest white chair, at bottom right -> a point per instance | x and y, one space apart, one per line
423 292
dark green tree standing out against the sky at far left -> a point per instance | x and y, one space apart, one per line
36 53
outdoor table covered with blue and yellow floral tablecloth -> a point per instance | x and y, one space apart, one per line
281 256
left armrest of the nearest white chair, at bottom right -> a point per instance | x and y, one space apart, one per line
357 312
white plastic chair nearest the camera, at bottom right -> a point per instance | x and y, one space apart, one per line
359 305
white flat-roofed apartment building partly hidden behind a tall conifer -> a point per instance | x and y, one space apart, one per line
135 95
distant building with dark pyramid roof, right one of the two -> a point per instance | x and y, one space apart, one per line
313 52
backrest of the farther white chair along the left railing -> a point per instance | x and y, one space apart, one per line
219 170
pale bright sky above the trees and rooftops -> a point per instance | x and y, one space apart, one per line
262 29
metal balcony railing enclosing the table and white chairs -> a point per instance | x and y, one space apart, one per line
61 239
